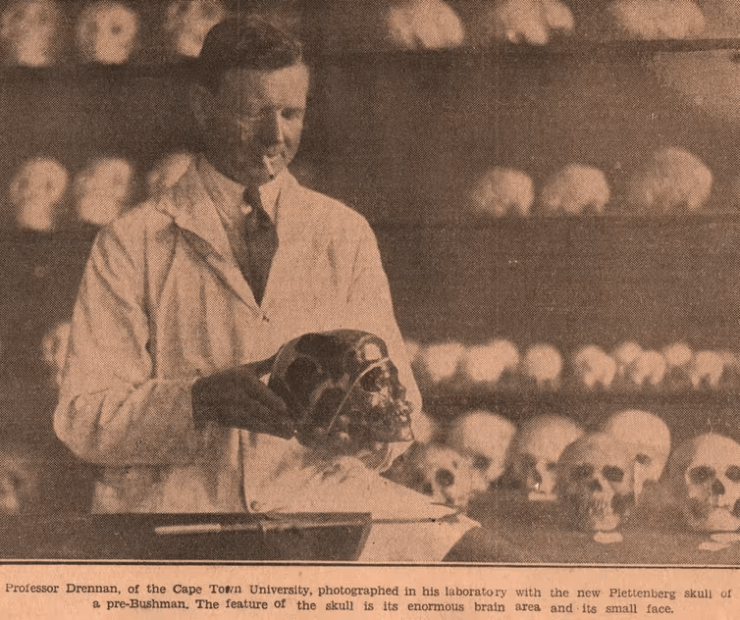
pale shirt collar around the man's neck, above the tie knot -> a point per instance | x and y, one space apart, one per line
228 195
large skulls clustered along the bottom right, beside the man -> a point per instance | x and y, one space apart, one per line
598 477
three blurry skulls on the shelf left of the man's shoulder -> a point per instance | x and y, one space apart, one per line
100 191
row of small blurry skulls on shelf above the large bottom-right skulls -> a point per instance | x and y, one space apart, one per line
500 365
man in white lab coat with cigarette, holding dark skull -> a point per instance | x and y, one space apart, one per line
176 292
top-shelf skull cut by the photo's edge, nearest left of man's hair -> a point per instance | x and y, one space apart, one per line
188 21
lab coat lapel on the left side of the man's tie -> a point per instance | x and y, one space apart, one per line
195 214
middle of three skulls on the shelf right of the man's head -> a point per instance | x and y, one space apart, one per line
575 190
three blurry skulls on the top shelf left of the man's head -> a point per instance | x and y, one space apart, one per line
105 31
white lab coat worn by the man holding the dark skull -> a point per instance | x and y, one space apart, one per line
163 302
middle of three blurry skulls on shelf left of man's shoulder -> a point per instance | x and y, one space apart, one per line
103 189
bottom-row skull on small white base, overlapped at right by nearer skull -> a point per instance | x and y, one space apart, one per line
536 449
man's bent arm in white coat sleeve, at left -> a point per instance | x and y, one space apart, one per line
112 410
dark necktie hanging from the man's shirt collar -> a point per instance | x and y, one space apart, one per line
261 239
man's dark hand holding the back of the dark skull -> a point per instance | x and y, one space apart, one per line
237 398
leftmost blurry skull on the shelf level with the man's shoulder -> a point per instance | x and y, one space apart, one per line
36 191
